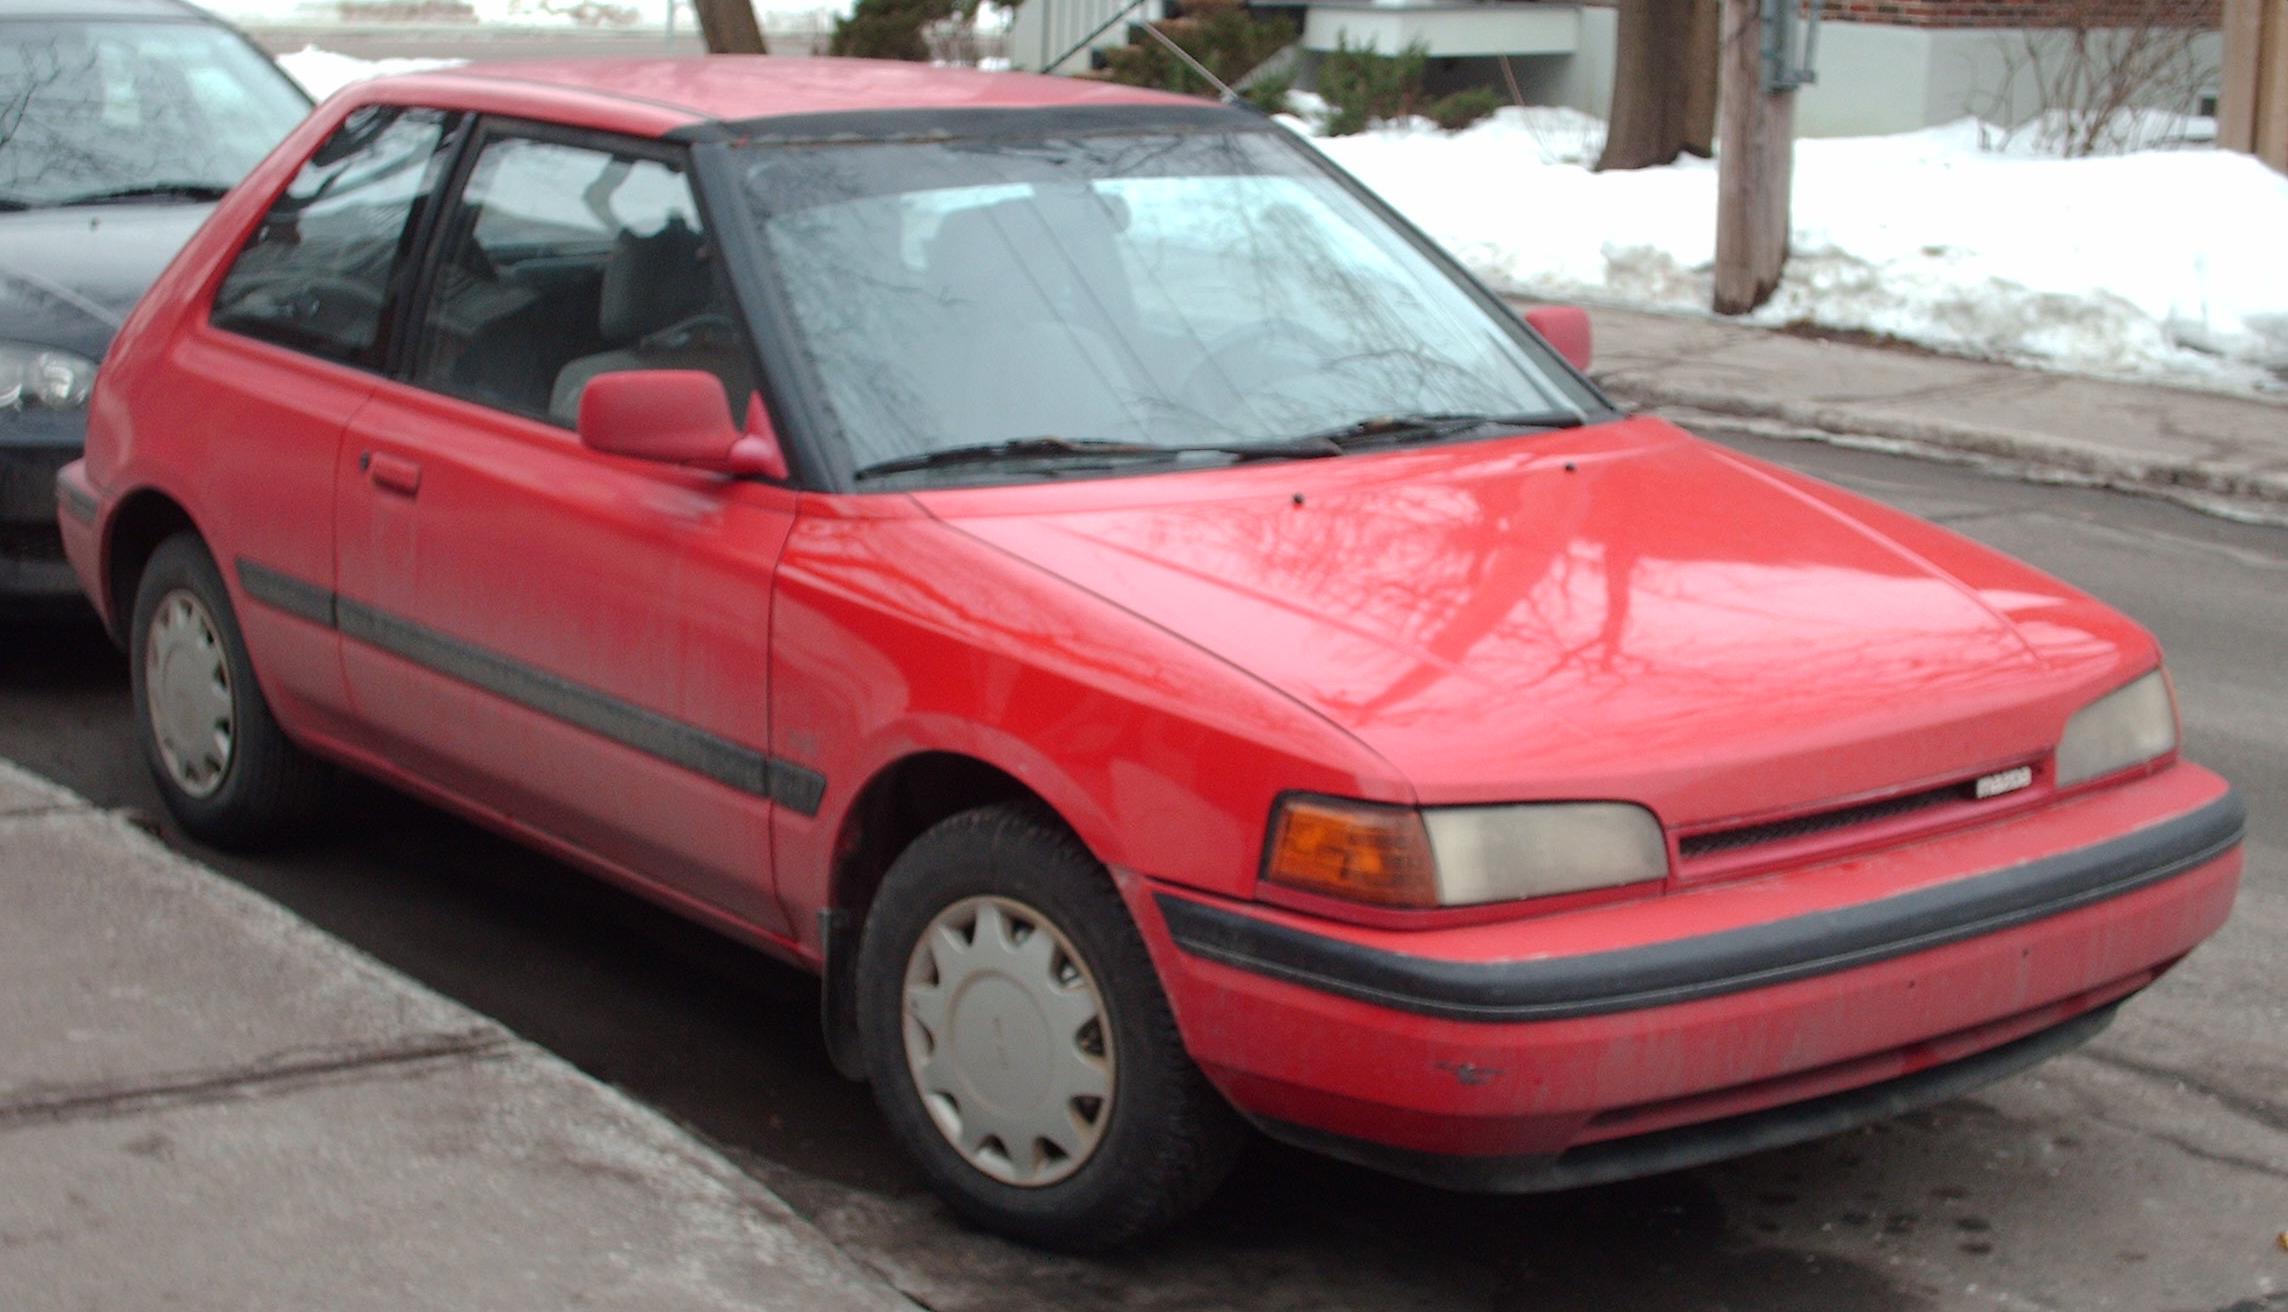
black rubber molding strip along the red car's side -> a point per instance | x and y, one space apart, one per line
532 688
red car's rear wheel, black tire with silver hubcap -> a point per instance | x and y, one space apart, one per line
244 787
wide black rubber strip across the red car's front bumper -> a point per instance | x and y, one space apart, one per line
1710 965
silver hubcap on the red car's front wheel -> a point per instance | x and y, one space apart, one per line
1008 1041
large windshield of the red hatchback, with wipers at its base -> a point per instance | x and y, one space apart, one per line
1170 290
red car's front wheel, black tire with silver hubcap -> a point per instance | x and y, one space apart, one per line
1159 1144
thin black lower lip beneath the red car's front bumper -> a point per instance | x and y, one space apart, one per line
1713 1141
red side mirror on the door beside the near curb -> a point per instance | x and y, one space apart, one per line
676 418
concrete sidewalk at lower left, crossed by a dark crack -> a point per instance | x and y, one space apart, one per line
207 1105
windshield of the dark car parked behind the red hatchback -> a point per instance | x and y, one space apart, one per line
129 111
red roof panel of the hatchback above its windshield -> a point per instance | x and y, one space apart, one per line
740 88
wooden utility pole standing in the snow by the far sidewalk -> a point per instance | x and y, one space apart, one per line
1763 61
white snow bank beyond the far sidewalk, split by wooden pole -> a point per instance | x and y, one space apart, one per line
2159 264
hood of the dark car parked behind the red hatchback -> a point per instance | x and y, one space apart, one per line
72 276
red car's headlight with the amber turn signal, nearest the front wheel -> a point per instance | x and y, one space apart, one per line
1463 855
